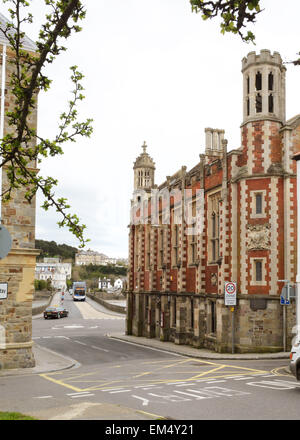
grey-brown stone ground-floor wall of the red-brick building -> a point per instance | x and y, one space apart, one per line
187 319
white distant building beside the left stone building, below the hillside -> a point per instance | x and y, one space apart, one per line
57 272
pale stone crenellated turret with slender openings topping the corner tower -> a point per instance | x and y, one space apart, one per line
264 87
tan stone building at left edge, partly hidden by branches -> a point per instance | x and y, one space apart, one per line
18 268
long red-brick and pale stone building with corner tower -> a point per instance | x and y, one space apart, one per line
176 280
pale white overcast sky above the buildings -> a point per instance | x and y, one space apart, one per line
155 72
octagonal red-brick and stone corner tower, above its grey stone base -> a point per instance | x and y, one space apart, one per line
265 180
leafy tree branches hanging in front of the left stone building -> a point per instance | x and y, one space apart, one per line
23 146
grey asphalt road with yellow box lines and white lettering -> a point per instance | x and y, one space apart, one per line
119 376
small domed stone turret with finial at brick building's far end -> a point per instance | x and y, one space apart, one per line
144 169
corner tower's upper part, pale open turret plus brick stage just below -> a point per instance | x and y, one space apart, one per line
263 111
